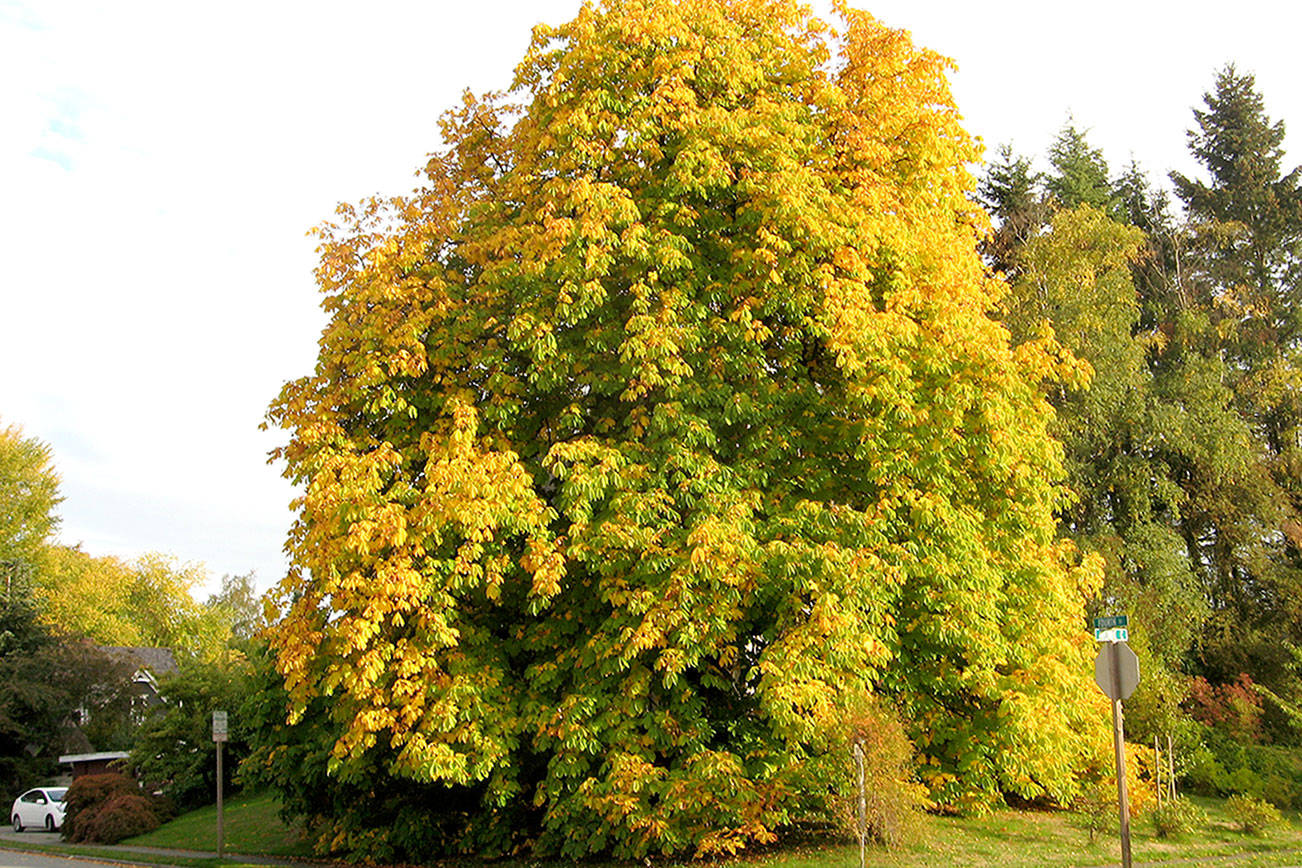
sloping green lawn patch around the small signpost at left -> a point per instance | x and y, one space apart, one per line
251 826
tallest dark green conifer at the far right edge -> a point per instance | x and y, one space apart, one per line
1245 530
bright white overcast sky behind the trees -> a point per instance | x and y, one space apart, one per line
161 163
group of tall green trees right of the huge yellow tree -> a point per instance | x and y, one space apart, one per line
1184 451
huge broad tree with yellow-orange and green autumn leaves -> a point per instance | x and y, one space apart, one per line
663 426
